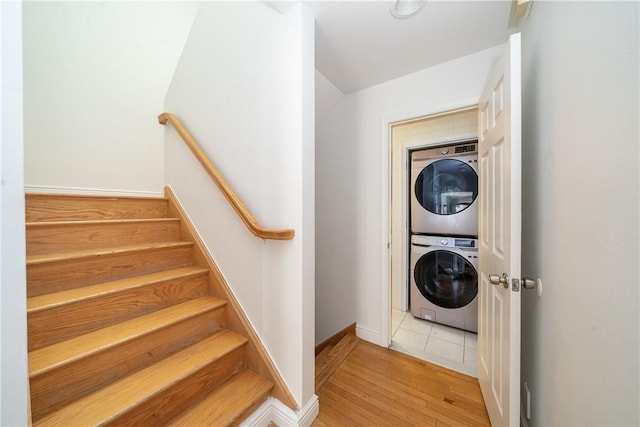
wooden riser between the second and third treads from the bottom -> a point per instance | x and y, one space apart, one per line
55 388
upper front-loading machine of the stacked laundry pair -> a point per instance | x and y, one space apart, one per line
444 190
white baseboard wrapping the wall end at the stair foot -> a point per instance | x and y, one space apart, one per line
274 411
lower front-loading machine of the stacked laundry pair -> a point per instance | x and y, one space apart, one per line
444 280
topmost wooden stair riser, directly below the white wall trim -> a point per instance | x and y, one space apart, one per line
68 208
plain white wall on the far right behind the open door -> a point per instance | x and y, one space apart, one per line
580 340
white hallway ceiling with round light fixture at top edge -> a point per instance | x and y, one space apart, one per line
360 44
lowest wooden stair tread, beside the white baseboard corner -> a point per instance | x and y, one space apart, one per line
228 403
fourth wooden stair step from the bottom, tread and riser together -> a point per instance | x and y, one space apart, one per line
63 315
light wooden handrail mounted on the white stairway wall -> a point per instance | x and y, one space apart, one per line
241 209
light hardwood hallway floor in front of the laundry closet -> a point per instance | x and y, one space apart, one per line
375 386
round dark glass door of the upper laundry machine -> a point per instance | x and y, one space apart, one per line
446 187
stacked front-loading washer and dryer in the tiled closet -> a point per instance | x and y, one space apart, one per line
444 235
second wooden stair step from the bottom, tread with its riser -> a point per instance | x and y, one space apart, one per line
153 395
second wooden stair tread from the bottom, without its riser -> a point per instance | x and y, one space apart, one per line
145 384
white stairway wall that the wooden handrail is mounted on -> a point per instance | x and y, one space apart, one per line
244 89
